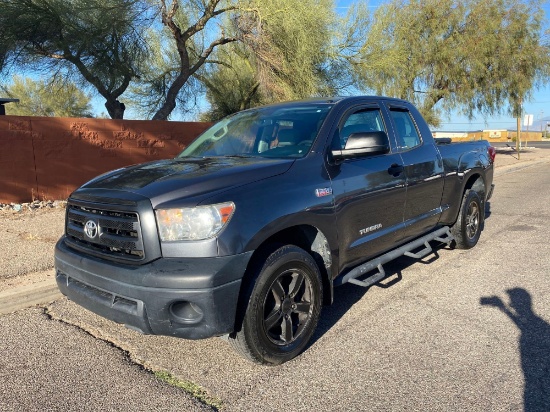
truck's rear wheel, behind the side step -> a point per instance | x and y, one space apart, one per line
467 227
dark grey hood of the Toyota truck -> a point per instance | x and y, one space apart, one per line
172 180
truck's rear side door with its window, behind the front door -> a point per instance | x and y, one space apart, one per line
423 171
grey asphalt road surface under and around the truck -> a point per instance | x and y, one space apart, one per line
470 330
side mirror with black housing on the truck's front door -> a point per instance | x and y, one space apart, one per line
363 144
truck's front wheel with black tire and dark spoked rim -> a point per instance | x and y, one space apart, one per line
283 308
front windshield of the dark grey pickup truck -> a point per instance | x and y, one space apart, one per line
282 132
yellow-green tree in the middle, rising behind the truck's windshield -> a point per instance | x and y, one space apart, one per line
287 50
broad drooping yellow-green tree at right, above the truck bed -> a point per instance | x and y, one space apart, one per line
476 55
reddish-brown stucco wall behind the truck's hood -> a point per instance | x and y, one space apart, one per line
47 158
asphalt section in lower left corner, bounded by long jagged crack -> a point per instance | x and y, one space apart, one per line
49 365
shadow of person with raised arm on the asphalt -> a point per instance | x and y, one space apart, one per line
534 345
